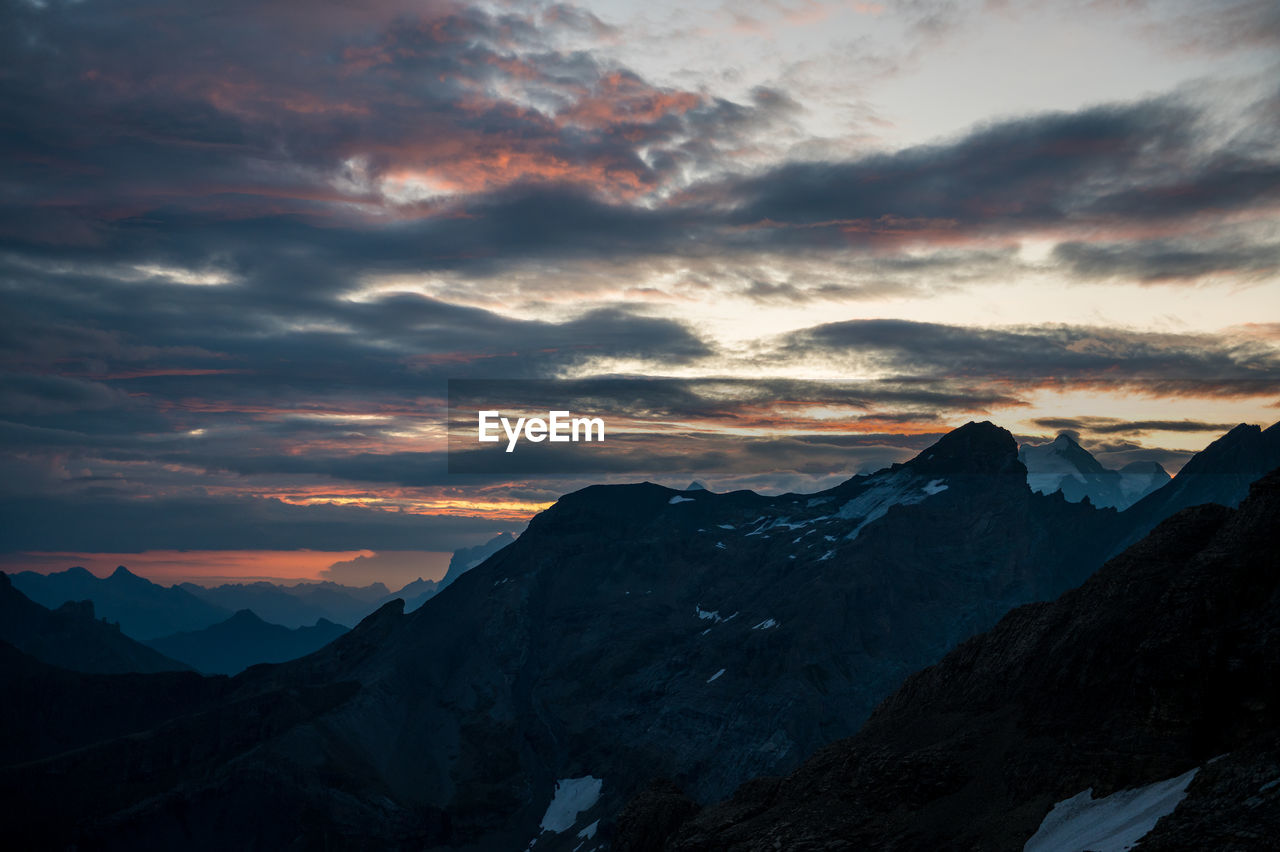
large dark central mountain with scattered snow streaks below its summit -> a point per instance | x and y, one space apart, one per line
630 631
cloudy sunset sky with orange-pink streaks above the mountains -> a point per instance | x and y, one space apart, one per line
245 246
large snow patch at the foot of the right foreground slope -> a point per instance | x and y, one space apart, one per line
1112 824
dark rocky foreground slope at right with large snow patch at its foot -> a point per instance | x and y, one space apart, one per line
1151 690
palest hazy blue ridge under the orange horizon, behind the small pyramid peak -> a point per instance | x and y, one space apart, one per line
298 606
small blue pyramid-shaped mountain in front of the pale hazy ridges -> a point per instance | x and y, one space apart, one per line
245 640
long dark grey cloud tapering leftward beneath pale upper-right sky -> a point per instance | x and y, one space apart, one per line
1132 163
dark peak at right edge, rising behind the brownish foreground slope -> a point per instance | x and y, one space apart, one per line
1222 474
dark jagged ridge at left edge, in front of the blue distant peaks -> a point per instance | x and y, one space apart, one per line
72 638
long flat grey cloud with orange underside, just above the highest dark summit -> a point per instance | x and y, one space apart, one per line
1049 356
